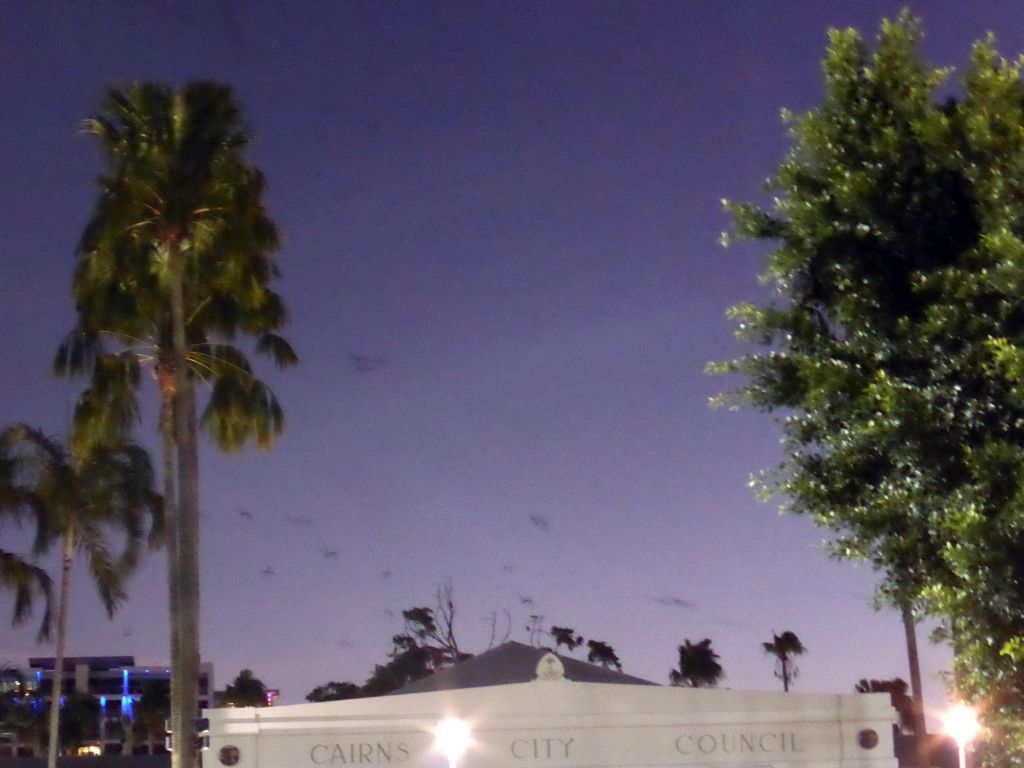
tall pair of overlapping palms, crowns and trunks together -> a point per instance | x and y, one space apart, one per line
177 257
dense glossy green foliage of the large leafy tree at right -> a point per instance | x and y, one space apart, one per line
892 353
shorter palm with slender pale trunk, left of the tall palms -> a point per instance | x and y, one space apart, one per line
79 500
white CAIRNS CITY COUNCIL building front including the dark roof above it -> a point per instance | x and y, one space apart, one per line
564 717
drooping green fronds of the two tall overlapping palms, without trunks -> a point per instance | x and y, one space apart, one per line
178 183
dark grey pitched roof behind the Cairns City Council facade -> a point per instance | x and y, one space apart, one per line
514 663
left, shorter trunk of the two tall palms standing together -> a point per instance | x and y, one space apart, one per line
172 523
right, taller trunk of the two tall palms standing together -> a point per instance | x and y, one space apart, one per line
188 509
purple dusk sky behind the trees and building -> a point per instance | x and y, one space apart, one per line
501 255
